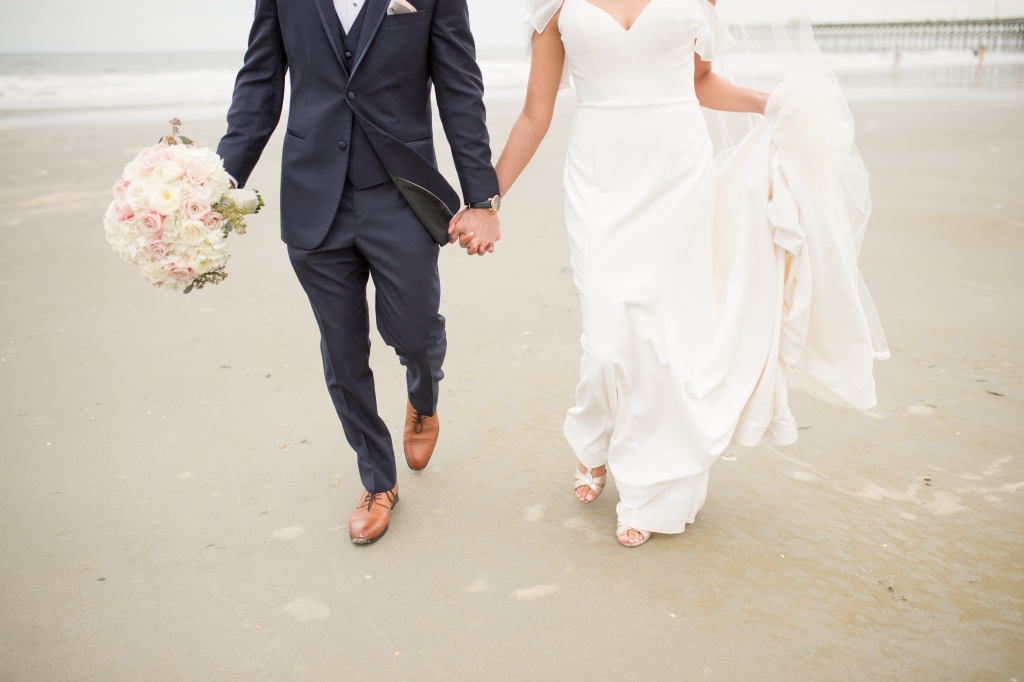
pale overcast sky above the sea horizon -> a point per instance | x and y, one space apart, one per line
133 26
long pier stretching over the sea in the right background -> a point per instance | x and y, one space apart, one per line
996 35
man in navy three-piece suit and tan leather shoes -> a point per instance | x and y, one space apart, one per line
361 195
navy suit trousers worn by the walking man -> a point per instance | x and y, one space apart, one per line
375 234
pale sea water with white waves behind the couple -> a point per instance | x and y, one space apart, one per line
47 90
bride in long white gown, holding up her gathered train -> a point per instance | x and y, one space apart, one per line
668 381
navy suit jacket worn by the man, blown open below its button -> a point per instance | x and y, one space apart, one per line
386 87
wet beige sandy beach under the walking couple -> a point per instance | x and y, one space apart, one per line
177 486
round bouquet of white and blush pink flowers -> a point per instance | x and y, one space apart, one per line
173 211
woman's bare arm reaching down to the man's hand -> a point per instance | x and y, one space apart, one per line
533 124
